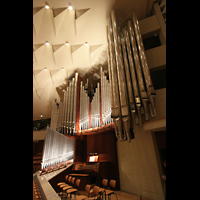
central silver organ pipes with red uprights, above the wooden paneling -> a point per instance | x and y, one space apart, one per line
91 113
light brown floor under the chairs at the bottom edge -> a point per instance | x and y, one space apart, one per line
120 196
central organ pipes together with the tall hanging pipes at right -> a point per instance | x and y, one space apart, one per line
122 96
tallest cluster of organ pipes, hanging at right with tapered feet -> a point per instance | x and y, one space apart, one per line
127 65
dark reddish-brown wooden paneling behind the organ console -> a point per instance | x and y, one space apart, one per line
102 143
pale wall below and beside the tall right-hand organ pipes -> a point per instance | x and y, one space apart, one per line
139 166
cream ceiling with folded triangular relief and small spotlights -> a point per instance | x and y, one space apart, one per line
86 22
